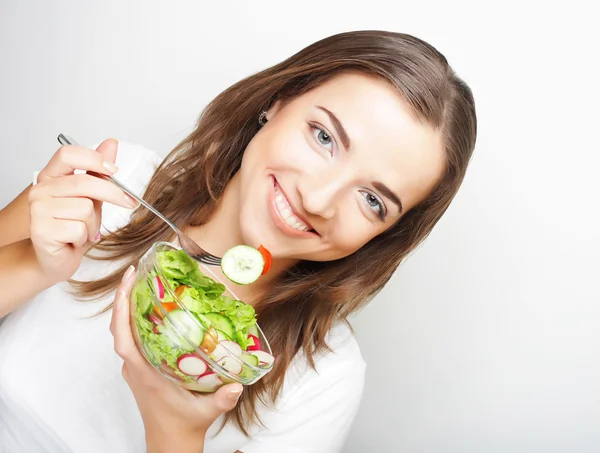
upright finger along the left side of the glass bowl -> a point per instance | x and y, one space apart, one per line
119 326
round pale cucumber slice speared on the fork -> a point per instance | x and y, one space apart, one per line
242 264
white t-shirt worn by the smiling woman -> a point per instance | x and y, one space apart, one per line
61 389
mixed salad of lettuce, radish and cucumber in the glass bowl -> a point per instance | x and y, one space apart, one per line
186 339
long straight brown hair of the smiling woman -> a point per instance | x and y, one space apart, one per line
304 302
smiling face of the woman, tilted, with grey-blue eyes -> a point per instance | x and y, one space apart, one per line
334 168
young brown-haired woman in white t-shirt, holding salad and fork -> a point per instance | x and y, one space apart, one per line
340 160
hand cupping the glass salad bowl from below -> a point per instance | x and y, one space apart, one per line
175 419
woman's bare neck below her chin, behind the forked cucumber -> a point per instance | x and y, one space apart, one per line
221 232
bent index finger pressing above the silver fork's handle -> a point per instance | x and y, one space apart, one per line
70 158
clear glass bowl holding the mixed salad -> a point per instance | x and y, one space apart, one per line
198 351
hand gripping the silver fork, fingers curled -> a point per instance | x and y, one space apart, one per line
65 208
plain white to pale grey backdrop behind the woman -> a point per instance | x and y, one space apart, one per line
488 338
